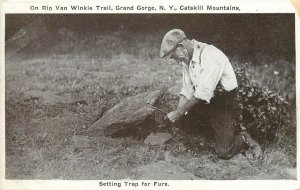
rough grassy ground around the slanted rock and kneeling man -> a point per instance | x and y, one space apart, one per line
59 85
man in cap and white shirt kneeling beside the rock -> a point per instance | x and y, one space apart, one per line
204 67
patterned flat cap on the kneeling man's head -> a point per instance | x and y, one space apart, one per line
170 42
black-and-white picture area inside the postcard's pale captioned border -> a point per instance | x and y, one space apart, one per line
150 97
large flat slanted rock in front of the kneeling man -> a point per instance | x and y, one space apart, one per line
133 116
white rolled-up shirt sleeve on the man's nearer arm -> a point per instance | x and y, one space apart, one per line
211 72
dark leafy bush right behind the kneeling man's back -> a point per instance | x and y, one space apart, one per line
264 112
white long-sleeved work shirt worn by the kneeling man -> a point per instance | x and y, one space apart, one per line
208 66
